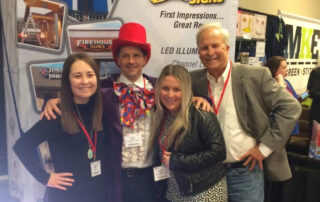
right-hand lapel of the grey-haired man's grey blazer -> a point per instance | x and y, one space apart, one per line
239 95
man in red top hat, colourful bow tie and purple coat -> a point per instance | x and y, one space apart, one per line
128 104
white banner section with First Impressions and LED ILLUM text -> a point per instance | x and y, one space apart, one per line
172 26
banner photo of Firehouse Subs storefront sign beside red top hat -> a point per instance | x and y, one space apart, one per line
95 39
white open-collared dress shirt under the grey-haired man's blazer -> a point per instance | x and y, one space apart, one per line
237 141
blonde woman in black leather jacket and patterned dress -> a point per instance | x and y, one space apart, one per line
189 141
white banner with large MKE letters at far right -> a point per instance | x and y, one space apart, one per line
303 48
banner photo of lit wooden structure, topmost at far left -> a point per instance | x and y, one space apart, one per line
40 24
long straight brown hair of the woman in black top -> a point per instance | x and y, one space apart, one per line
68 120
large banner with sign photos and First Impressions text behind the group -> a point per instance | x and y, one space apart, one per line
40 35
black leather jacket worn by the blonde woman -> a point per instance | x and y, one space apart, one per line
197 162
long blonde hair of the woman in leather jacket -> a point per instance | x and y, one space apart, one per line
179 128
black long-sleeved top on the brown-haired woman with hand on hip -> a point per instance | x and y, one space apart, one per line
69 154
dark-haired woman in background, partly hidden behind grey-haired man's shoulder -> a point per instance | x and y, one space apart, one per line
279 71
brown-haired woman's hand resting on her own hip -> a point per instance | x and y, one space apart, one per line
60 180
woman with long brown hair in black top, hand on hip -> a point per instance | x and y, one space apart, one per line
76 141
